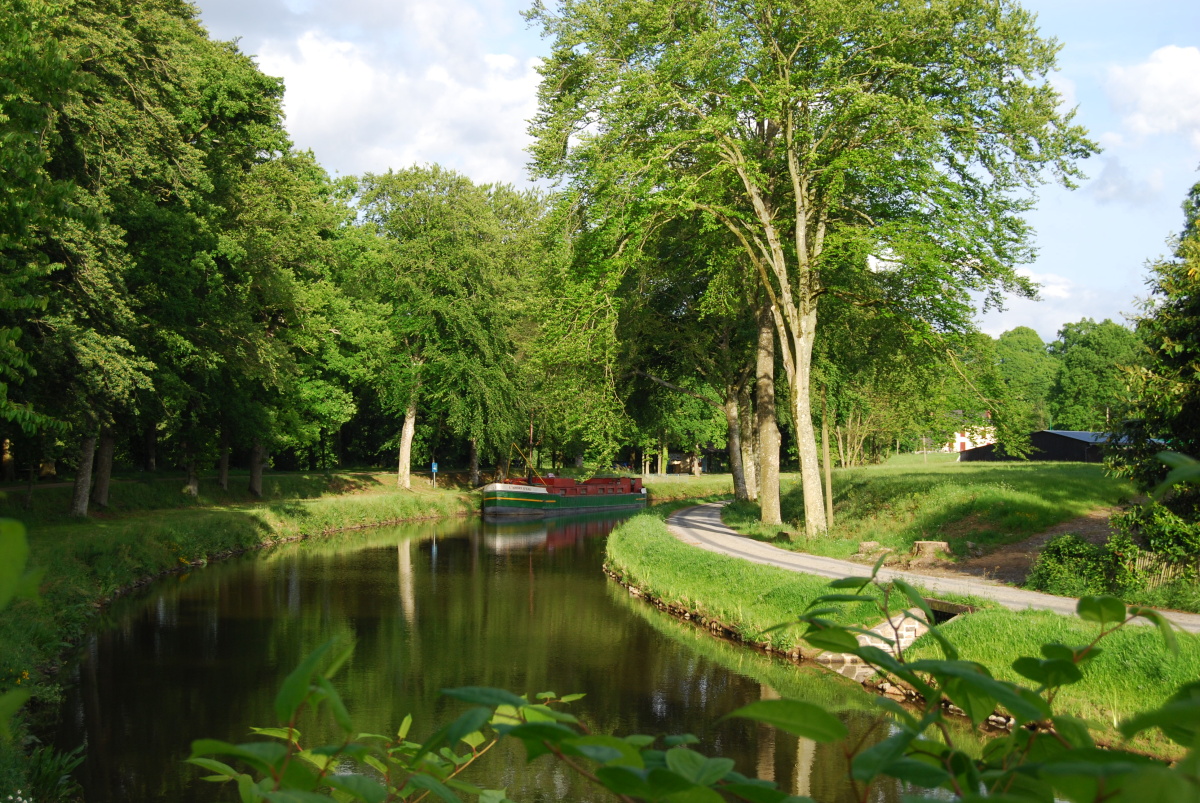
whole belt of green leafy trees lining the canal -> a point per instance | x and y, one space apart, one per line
757 244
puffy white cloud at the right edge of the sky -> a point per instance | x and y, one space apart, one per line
1162 95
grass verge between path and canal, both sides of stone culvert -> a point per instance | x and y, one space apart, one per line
1135 674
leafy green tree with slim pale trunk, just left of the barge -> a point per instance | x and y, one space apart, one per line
440 267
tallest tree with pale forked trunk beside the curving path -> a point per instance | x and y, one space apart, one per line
892 140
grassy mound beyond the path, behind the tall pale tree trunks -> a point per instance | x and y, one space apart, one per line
903 502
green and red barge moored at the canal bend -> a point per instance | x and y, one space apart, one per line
548 496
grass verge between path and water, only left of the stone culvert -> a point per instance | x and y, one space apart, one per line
745 596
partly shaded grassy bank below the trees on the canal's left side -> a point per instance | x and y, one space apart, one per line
89 561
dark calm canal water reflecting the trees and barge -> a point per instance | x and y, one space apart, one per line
521 607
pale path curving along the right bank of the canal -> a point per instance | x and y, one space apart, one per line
701 526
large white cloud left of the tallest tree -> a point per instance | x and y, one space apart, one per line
362 115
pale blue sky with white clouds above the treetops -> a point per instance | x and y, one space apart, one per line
379 85
